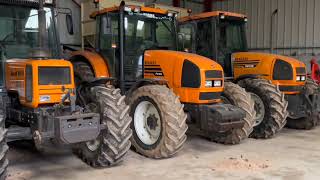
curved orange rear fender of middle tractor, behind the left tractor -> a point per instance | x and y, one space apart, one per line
97 62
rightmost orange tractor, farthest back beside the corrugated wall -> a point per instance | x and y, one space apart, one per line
271 79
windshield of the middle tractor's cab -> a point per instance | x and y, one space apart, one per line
149 31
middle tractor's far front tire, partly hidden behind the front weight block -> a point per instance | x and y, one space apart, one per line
237 96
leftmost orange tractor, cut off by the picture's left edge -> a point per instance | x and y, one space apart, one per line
38 97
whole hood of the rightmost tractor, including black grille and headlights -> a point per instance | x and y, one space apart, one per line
285 71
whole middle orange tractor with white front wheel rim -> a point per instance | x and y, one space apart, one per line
164 88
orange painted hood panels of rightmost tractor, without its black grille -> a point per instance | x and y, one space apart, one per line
246 63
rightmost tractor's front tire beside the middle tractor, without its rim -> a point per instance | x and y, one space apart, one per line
274 104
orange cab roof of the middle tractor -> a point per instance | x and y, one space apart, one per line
117 8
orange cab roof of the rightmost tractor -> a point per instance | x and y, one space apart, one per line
210 14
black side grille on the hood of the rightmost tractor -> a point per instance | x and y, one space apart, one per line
282 70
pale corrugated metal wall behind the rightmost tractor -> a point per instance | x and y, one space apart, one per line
296 26
